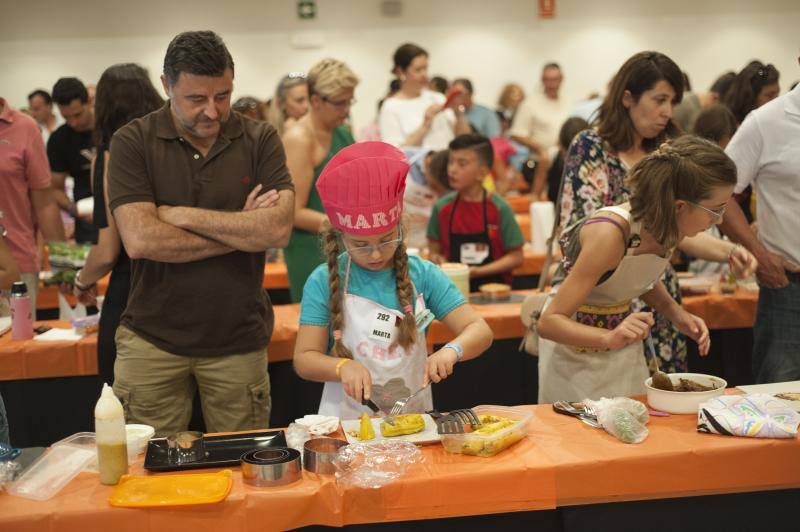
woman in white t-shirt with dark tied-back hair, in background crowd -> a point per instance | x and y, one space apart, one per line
416 116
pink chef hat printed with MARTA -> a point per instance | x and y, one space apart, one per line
362 186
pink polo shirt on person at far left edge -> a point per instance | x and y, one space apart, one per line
23 166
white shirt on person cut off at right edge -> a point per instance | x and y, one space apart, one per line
766 150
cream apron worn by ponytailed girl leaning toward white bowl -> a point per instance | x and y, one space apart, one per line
571 373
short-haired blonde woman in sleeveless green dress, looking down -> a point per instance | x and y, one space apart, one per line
309 145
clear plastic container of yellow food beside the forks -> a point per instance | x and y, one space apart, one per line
489 444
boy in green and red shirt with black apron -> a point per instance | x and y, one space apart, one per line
471 225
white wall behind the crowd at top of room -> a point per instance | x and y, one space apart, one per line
490 42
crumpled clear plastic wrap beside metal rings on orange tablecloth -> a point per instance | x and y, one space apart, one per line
374 465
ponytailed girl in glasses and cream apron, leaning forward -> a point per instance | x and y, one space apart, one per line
591 343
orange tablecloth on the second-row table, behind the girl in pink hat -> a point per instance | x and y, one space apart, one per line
30 360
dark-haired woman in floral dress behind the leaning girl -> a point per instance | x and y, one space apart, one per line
634 119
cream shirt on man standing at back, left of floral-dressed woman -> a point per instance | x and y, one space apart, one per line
540 118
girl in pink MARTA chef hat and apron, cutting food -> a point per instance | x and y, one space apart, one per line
364 314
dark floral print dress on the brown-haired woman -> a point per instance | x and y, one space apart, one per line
594 177
